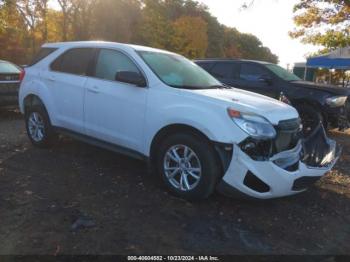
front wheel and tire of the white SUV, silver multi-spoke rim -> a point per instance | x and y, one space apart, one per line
201 171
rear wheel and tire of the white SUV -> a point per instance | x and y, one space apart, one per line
39 128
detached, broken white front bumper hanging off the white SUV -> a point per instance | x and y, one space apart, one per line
283 174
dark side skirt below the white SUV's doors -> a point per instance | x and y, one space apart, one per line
102 144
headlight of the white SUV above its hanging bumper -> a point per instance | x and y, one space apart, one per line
254 125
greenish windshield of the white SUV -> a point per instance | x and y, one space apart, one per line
177 71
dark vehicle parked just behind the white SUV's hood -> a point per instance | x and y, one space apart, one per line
315 102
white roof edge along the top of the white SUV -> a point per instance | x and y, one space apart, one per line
102 44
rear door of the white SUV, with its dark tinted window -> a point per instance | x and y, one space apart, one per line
66 82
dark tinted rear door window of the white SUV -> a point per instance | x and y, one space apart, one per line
76 61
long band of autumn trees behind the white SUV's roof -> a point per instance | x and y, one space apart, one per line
183 26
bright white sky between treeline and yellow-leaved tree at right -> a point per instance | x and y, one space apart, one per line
269 20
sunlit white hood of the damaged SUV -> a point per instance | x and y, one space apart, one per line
248 102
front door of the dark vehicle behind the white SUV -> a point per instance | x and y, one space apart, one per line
256 78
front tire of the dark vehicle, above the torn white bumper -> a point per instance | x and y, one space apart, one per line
310 118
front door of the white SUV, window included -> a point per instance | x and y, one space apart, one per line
115 111
